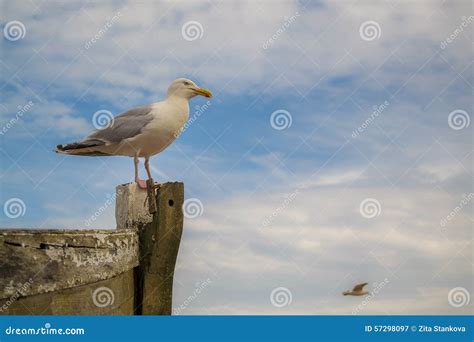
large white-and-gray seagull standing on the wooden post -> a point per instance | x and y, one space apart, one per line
142 131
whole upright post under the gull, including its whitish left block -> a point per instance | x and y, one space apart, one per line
159 237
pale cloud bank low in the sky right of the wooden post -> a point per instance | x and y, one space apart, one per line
331 245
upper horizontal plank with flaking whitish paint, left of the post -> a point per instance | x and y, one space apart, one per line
34 261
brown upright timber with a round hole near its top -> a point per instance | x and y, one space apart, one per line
159 245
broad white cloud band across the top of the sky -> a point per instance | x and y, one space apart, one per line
143 49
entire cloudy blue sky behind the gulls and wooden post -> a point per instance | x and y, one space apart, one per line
321 67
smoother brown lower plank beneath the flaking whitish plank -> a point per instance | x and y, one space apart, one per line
114 296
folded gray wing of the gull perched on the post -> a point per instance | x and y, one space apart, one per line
126 125
